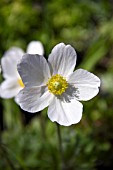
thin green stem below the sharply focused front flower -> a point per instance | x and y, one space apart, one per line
60 146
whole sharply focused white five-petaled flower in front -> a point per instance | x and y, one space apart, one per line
54 84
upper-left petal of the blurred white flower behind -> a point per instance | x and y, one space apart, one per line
9 62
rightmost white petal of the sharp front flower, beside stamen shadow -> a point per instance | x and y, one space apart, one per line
86 84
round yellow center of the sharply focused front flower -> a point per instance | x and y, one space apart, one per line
57 84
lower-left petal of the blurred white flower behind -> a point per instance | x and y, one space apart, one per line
9 88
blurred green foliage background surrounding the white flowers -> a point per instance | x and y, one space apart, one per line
31 143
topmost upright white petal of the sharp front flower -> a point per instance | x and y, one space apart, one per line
62 59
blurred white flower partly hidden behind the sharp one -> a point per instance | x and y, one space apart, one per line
13 83
